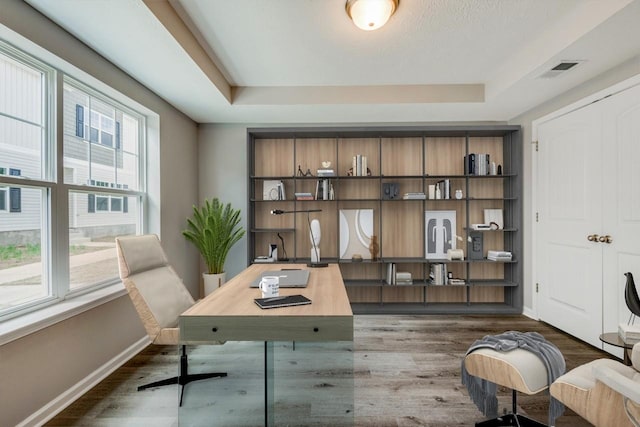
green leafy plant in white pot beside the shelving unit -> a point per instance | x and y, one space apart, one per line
213 229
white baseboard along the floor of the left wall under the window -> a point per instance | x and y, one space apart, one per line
65 399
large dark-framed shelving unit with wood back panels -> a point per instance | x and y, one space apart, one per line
413 158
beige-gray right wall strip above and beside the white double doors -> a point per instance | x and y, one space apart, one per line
601 82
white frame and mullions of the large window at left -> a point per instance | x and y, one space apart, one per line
55 192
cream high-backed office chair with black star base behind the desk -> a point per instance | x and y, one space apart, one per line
159 296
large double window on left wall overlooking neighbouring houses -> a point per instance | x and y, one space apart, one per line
47 253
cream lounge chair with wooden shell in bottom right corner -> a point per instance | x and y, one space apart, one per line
605 392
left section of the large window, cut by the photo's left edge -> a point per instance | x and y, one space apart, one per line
25 140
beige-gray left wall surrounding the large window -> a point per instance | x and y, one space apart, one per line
41 366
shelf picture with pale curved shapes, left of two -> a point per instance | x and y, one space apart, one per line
356 229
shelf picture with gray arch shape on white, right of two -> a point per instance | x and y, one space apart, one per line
440 233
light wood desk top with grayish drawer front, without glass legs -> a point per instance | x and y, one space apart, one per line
230 314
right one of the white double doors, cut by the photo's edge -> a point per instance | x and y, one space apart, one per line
621 204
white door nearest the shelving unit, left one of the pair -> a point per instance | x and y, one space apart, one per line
569 201
